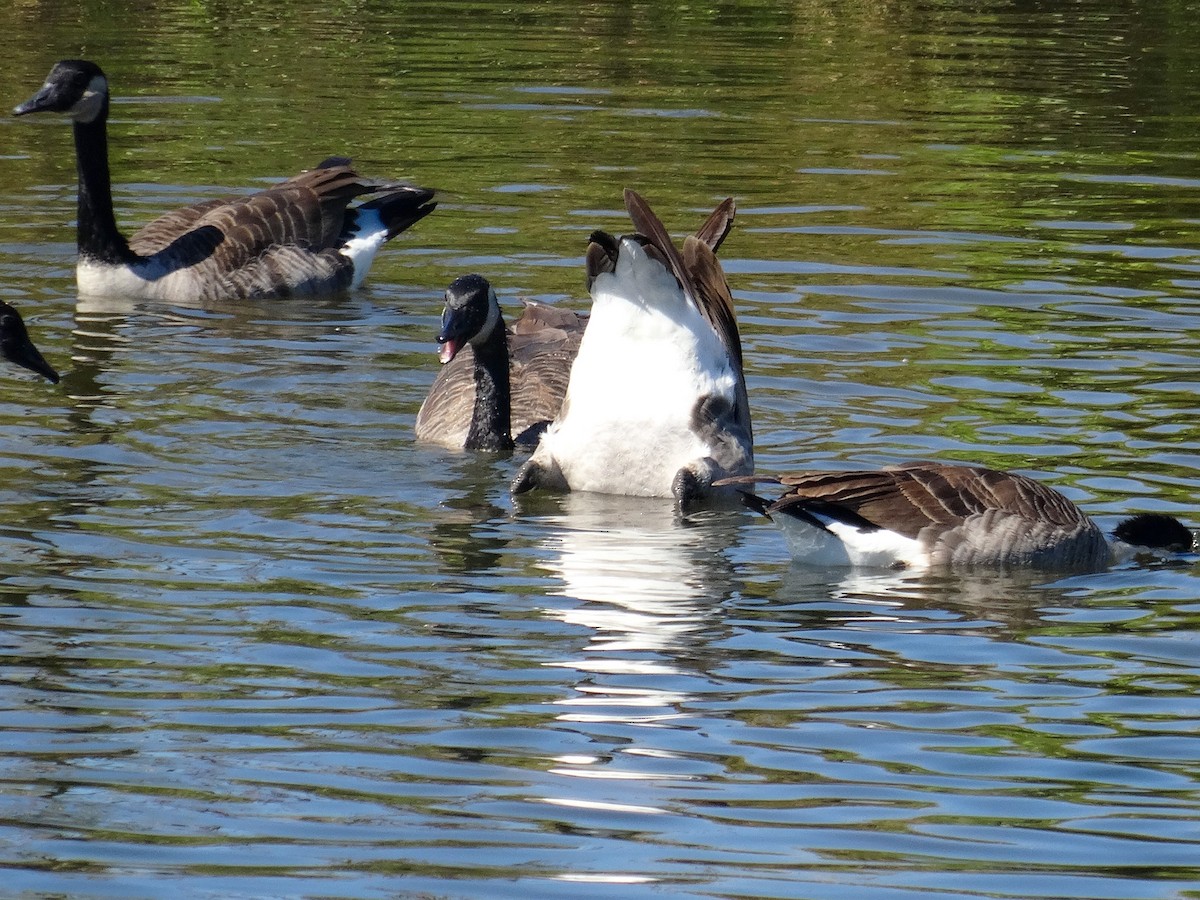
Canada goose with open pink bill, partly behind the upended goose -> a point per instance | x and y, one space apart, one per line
499 387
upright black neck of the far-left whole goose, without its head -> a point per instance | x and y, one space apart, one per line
97 225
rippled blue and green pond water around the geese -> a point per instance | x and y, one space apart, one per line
257 643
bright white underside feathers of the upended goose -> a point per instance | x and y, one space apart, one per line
646 358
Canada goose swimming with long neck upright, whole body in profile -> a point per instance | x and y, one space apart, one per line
301 237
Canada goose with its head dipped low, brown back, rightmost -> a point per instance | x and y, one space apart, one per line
934 515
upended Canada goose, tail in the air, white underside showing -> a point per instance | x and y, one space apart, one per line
657 403
